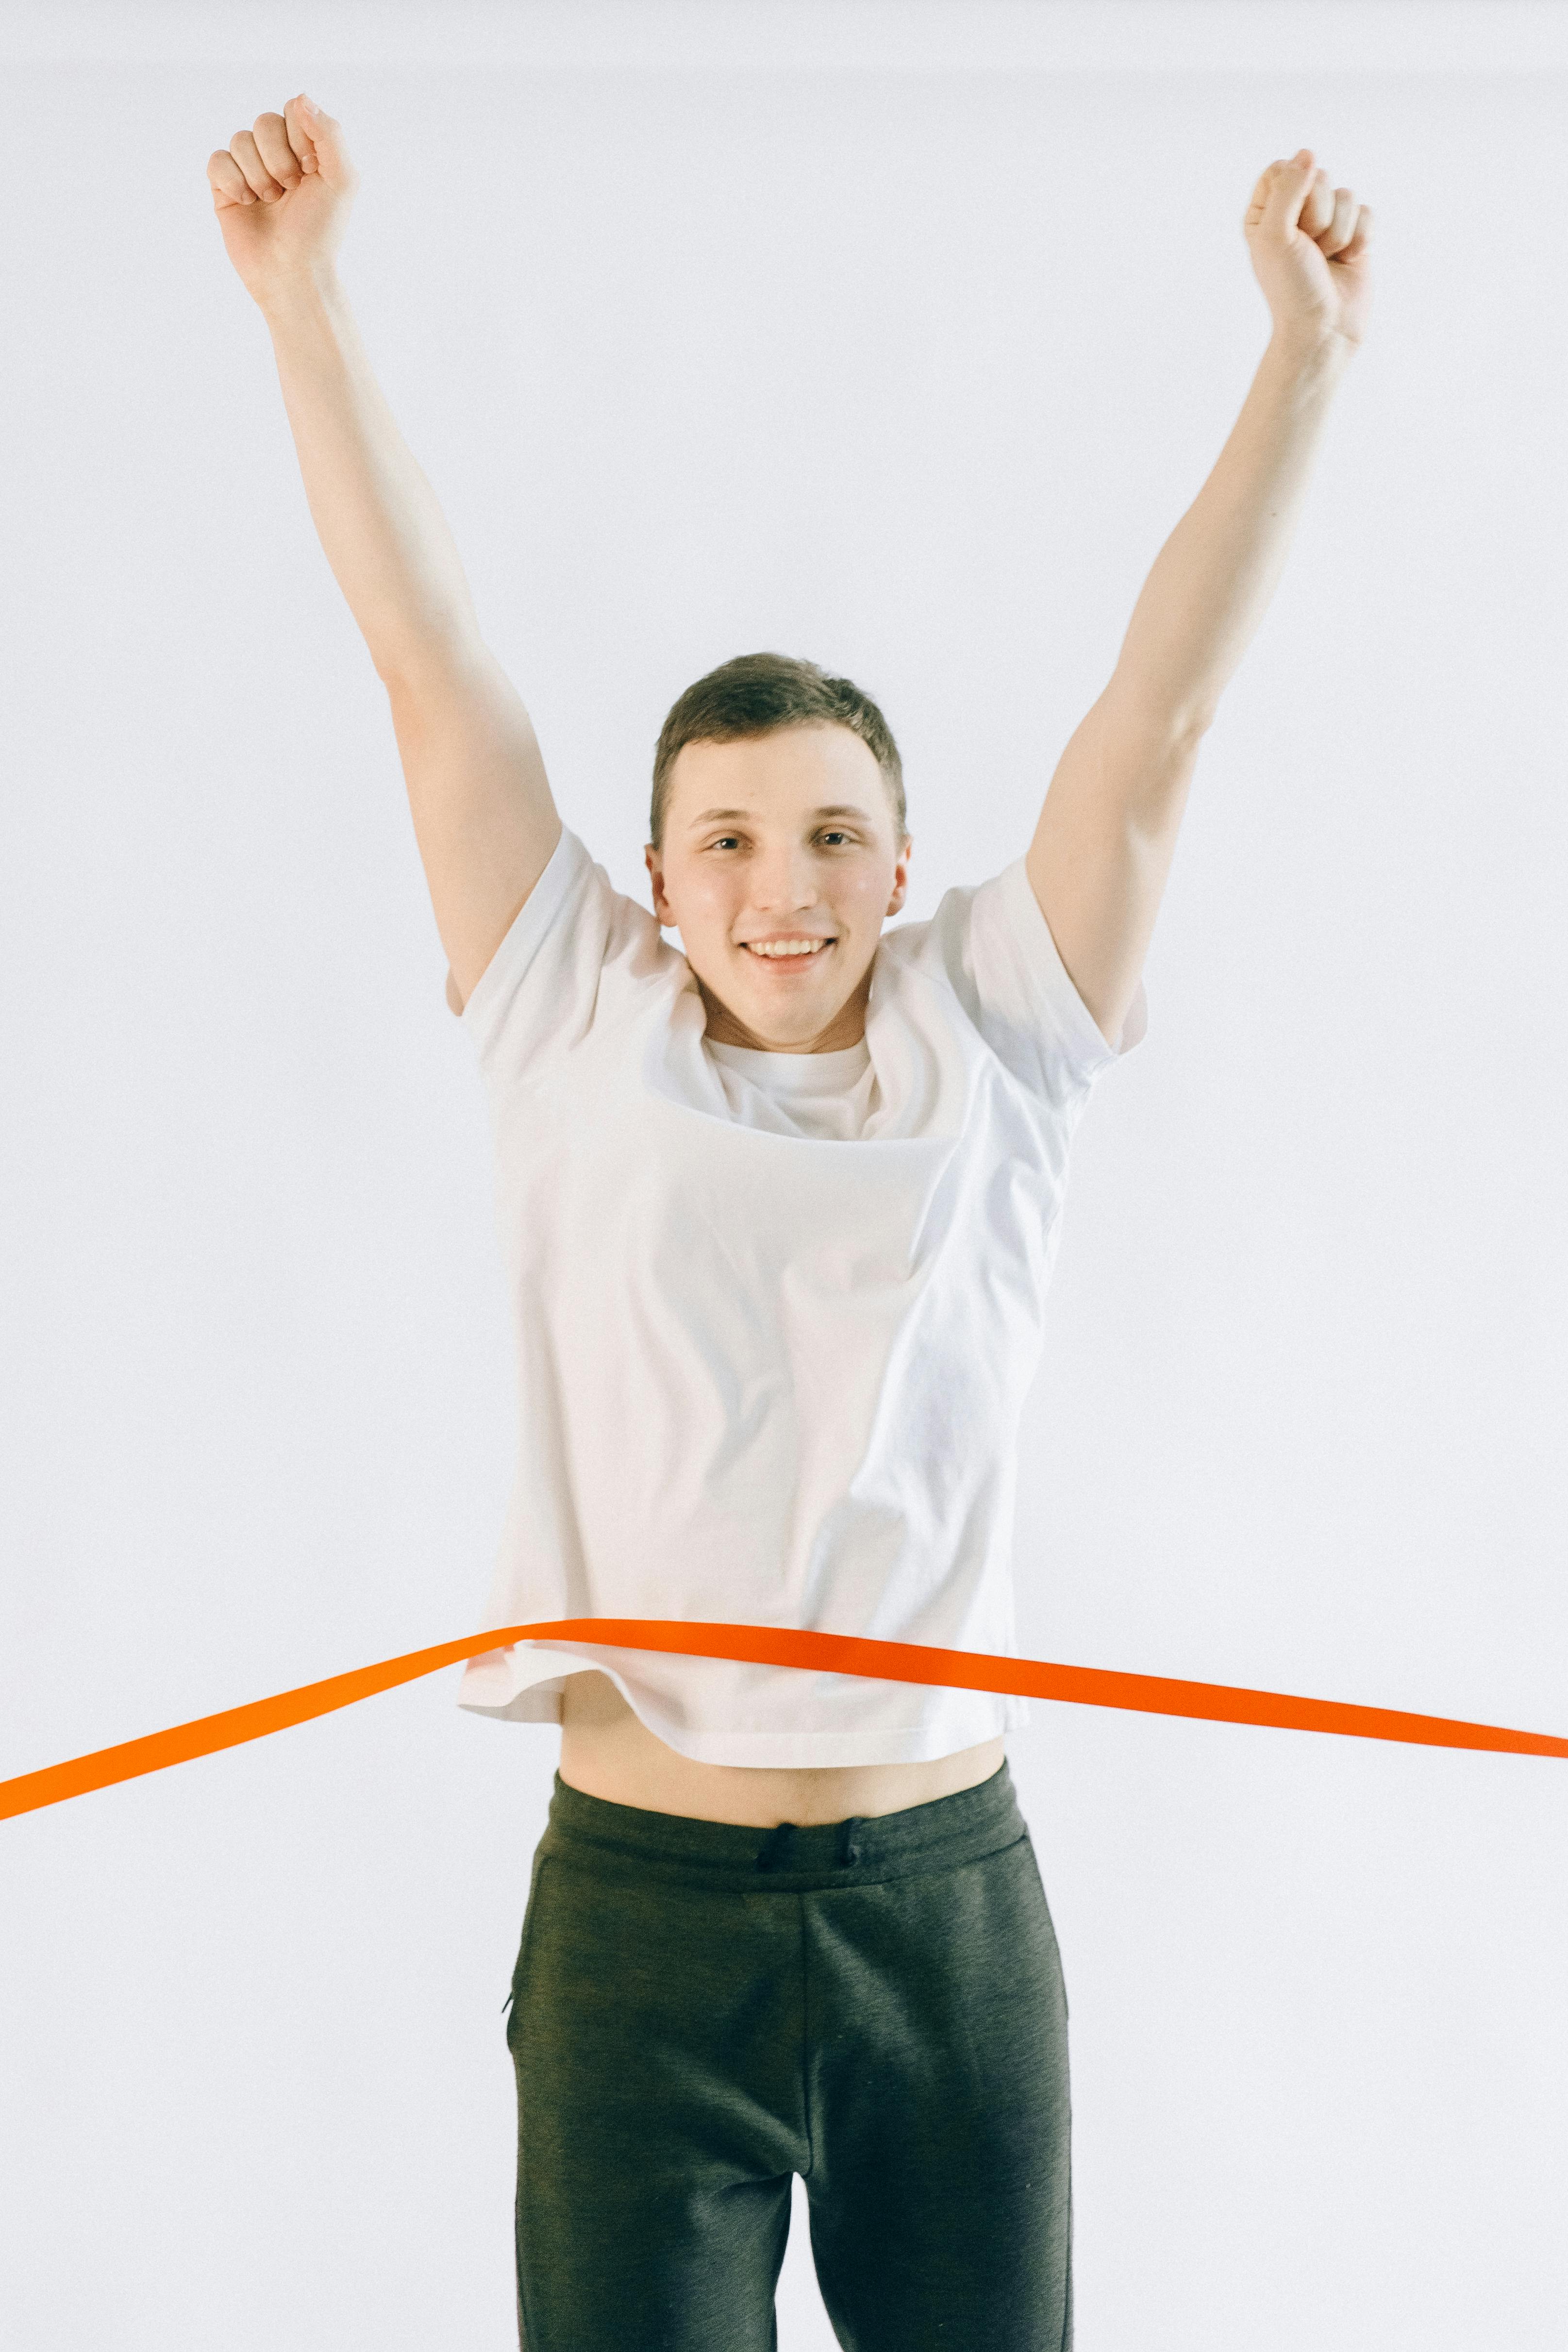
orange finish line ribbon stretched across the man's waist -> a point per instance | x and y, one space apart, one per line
770 1645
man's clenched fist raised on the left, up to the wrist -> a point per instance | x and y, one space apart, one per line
281 194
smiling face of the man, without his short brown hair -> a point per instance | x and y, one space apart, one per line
775 841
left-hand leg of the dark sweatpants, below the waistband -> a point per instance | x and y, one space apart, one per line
650 2036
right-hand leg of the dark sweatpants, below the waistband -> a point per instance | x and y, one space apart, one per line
942 2191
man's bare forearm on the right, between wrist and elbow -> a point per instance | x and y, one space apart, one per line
1214 577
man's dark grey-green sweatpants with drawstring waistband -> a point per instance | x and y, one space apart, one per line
702 2010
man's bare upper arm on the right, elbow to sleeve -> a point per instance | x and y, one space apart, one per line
1104 848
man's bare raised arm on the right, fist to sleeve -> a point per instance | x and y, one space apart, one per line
1106 836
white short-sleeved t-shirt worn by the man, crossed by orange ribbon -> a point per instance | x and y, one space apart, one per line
775 1314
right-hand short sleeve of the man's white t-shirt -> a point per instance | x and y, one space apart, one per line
998 951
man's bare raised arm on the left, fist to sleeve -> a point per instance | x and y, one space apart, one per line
478 791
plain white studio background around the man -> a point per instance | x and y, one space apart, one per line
897 338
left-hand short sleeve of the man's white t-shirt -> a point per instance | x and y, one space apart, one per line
547 982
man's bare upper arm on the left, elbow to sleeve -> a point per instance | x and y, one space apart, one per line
481 801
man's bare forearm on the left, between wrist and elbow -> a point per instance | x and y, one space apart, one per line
375 512
